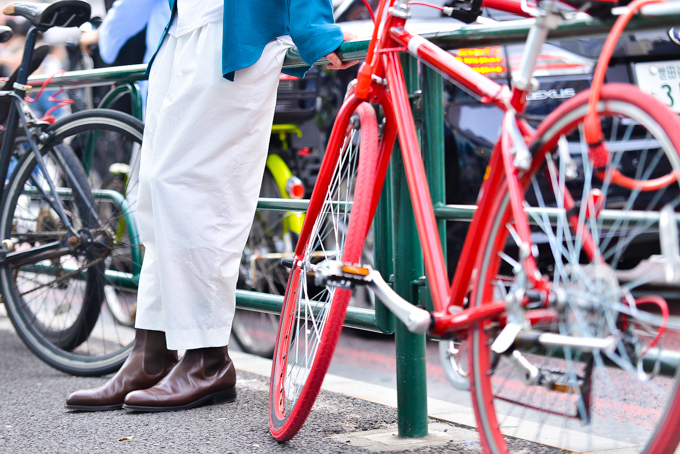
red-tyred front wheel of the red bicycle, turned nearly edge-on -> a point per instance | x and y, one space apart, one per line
312 316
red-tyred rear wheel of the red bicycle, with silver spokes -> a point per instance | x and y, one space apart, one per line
608 262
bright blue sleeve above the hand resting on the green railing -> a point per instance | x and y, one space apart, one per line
313 29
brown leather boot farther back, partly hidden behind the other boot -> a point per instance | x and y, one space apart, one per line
147 364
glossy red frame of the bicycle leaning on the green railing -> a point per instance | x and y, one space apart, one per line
383 69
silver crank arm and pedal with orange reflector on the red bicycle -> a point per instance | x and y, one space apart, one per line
337 274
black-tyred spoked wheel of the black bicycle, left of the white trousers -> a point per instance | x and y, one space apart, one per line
75 314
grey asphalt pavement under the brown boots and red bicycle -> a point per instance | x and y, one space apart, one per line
33 419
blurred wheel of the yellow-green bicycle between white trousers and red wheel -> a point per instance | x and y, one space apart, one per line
255 332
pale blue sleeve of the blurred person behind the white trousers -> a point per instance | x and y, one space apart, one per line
123 21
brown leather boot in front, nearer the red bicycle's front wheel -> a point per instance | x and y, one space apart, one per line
204 375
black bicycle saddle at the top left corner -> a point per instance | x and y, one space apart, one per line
62 13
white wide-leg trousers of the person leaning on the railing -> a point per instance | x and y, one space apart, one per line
202 160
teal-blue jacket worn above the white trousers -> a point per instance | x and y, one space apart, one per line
250 24
